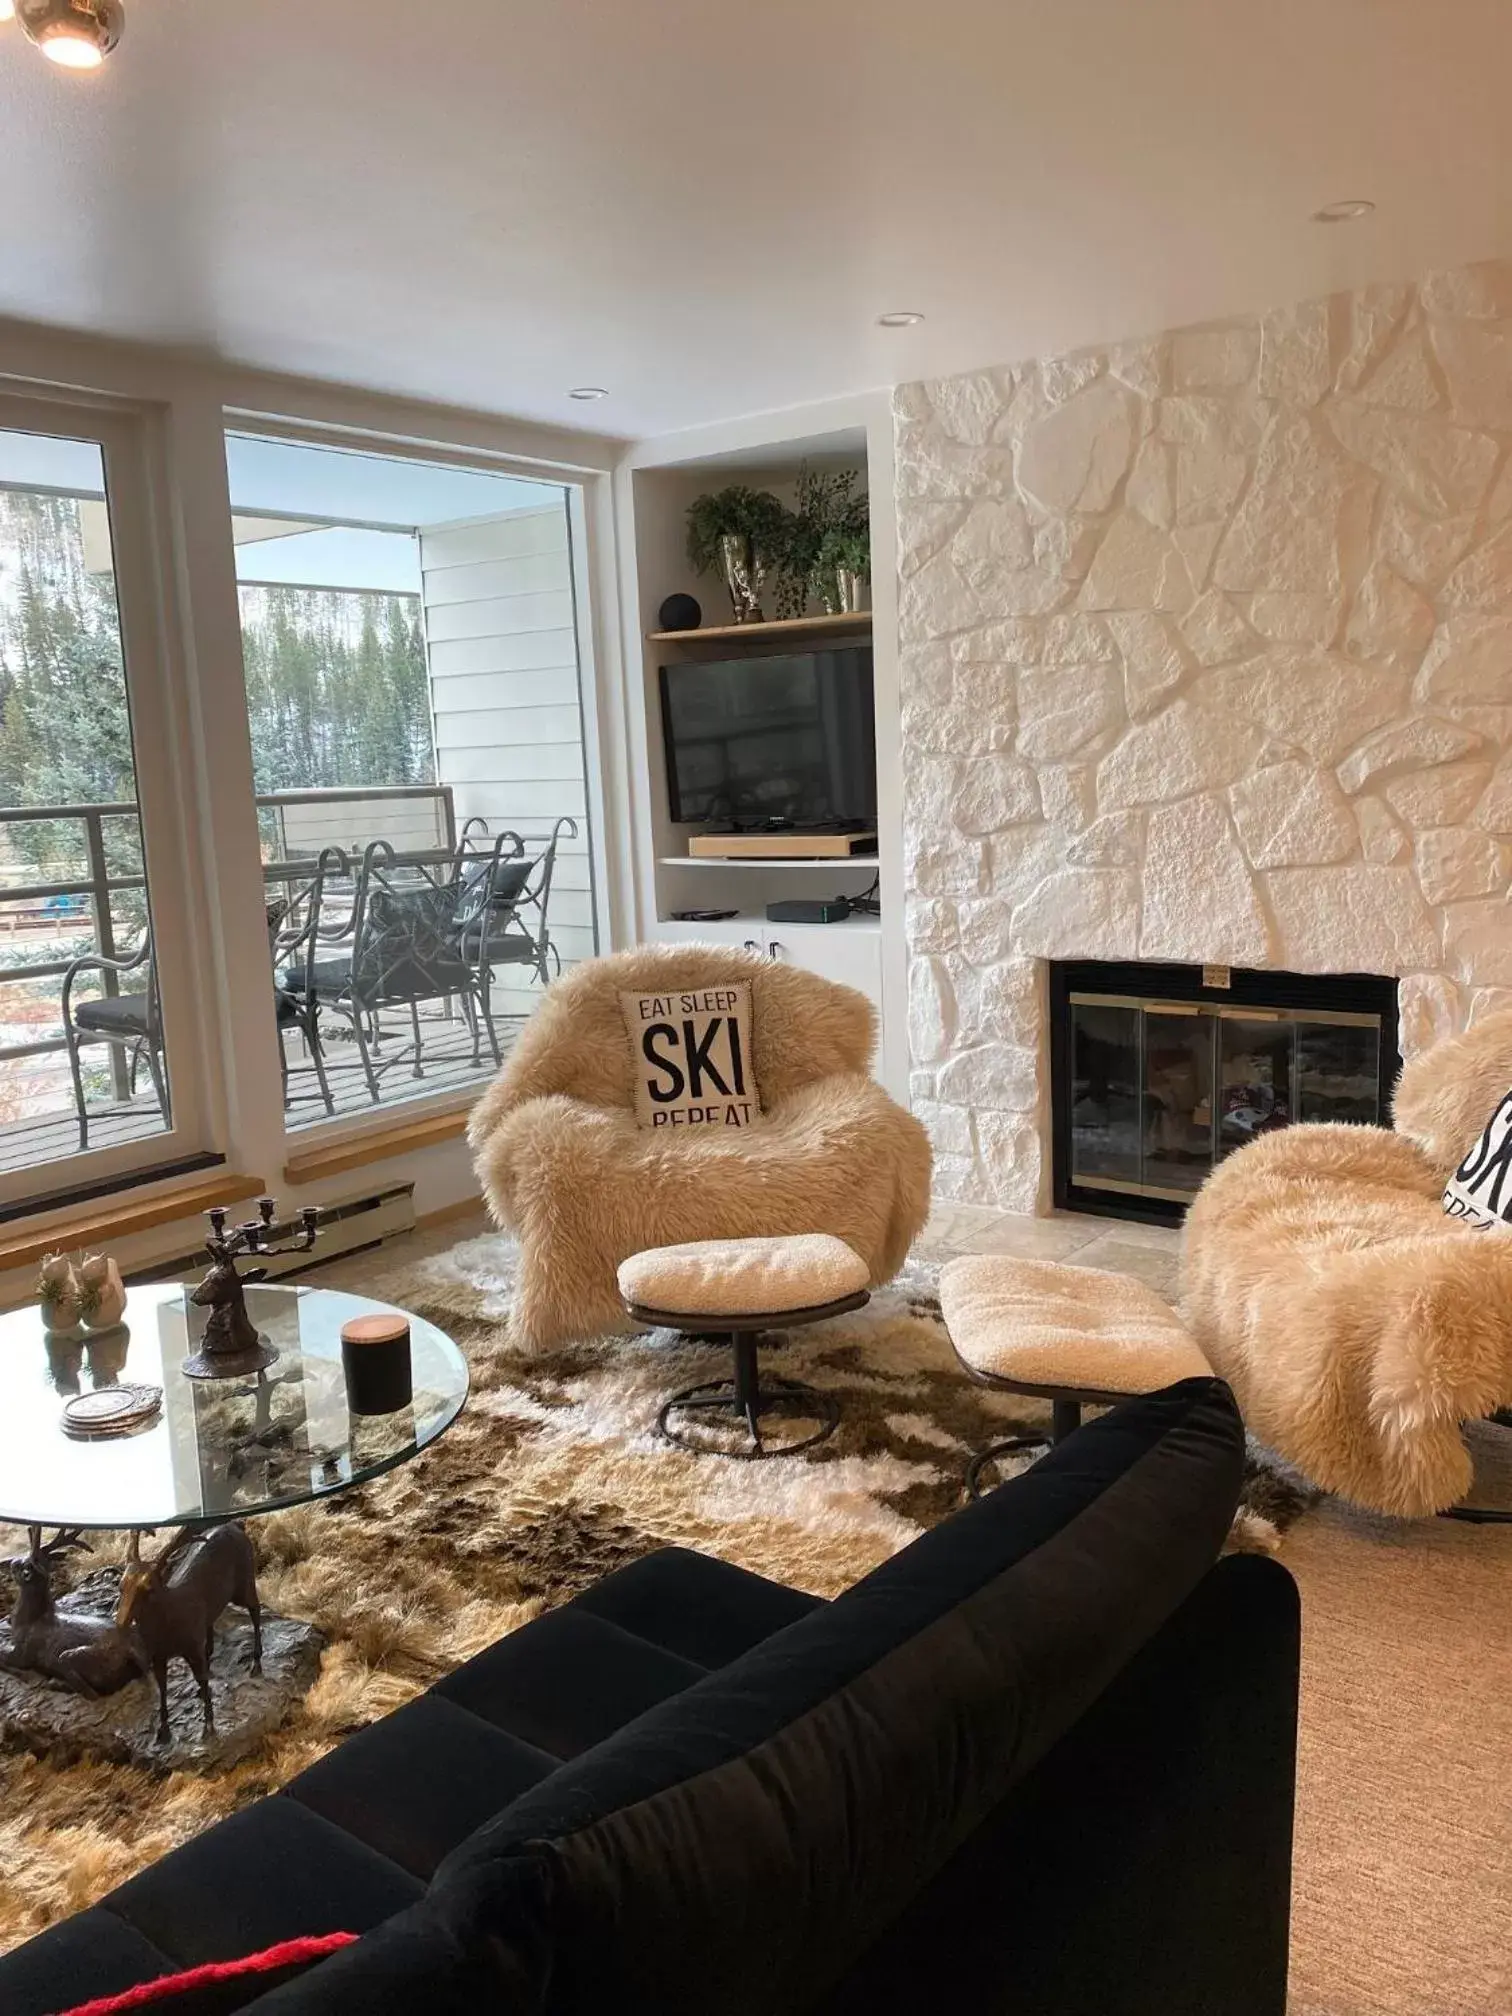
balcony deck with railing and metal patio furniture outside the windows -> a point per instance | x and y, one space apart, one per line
346 1049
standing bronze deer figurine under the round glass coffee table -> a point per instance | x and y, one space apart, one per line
172 1604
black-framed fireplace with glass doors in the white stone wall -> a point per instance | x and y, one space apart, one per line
1160 1072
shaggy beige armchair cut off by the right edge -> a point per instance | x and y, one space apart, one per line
1360 1328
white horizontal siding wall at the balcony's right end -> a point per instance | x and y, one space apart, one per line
505 688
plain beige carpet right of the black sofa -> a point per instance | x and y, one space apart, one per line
1404 1830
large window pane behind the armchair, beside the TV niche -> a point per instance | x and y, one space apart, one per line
416 721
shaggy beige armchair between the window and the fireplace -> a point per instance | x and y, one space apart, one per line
570 1172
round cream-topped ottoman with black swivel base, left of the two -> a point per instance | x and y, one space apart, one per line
733 1291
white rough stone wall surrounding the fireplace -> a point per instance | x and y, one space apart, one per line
1207 654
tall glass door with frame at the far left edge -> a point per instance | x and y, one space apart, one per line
98 1076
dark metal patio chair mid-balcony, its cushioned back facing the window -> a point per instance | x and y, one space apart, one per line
404 944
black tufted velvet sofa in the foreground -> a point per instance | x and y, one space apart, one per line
1041 1761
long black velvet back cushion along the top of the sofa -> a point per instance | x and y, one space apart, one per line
741 1848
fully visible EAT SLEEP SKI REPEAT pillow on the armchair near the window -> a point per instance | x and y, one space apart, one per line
690 1057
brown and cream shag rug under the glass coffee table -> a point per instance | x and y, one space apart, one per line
551 1479
